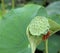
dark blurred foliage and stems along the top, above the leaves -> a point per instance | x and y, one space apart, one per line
8 4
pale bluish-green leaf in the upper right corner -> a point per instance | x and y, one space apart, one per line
53 8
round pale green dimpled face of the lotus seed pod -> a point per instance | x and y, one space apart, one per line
39 26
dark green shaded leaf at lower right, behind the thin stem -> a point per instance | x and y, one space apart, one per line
53 44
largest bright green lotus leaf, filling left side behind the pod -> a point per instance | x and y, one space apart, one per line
13 26
